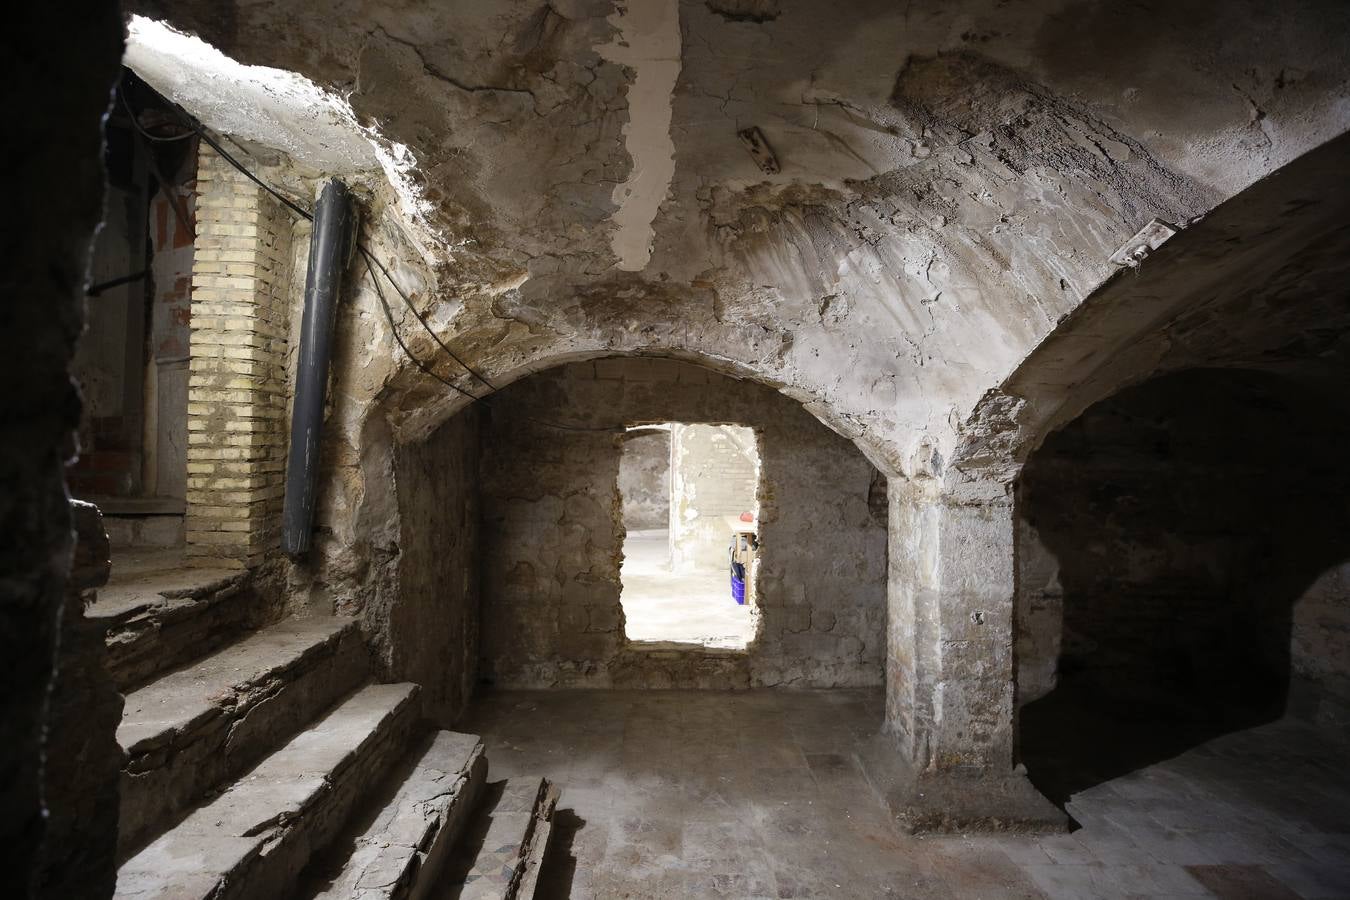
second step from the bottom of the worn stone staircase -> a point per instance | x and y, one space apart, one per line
399 848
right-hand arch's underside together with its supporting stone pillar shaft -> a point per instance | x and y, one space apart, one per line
1224 292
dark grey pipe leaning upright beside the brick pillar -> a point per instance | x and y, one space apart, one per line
331 246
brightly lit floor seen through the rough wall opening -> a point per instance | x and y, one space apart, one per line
691 609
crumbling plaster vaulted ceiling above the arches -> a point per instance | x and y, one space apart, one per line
950 187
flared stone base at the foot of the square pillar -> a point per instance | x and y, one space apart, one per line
958 801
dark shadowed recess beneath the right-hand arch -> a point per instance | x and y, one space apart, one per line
1181 557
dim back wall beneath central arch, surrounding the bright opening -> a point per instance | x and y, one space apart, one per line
821 496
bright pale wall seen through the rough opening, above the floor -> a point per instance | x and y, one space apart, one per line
715 474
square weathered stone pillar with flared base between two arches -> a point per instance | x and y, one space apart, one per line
950 692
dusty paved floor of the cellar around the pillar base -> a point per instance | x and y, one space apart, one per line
758 794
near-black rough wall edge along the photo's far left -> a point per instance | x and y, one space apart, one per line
59 181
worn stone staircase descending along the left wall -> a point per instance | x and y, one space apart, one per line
275 767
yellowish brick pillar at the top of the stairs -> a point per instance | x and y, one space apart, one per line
237 395
